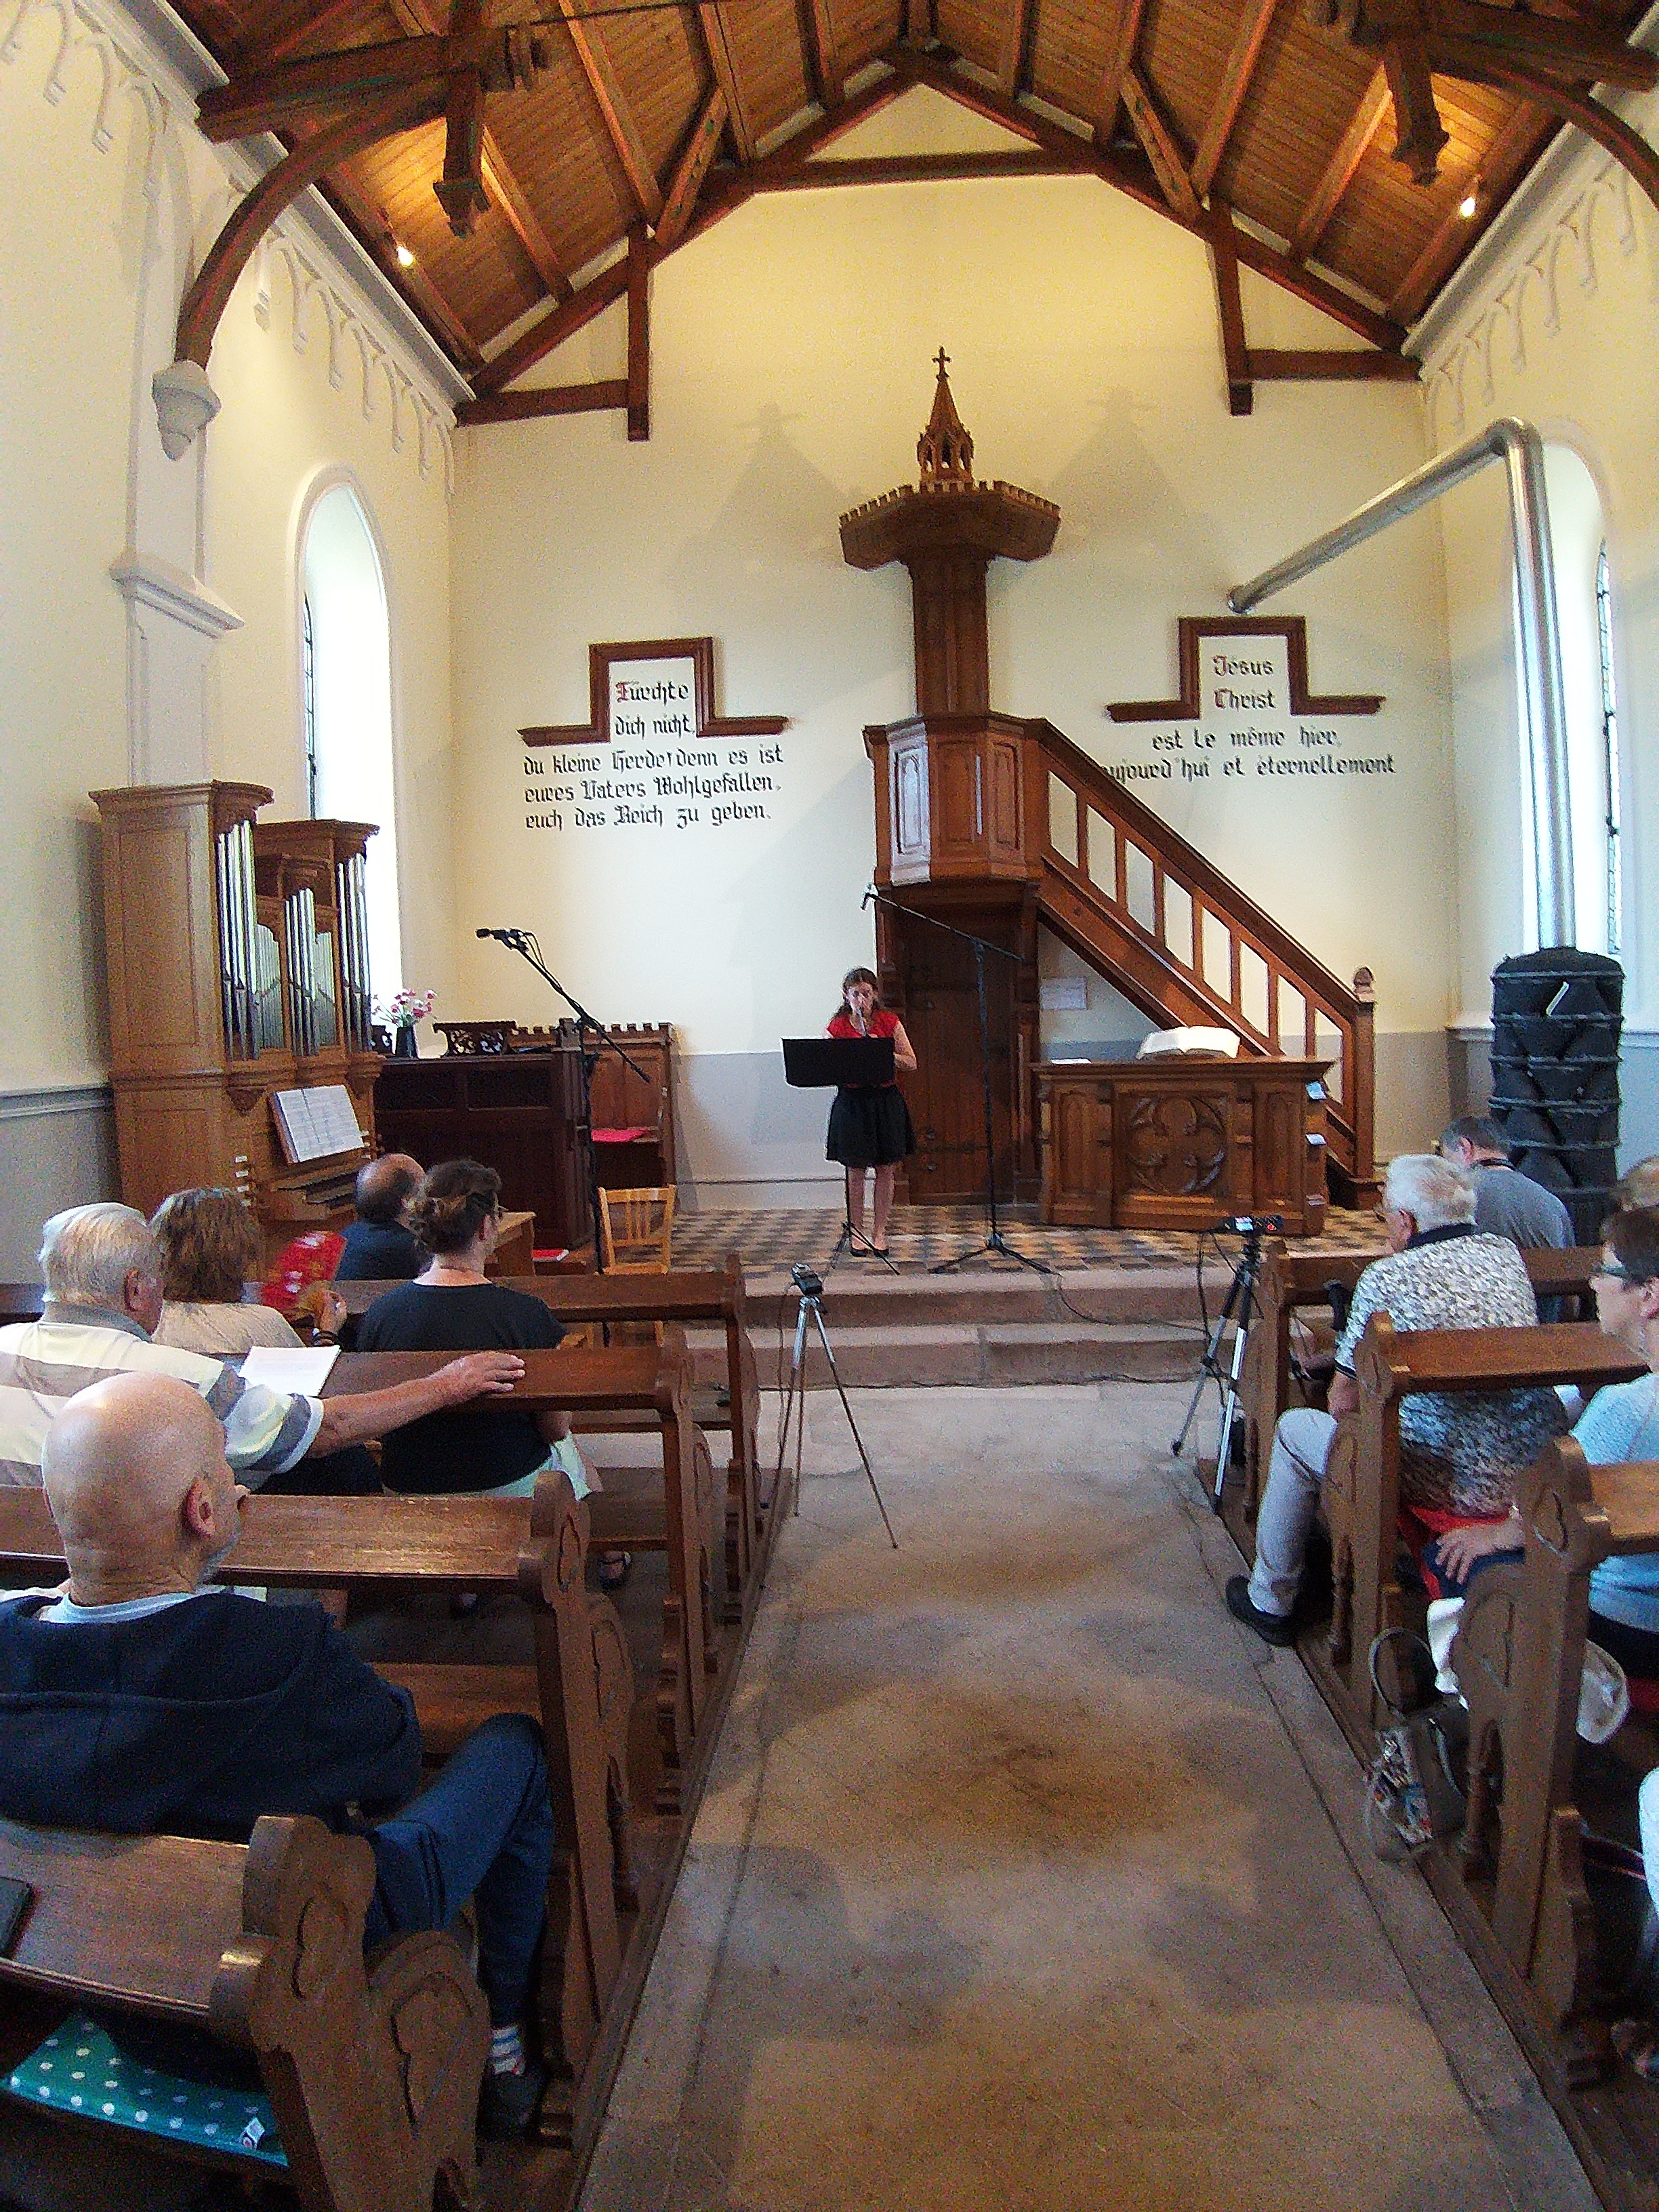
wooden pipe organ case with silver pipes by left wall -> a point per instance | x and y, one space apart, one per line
238 970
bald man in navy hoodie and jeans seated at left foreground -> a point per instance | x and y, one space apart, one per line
140 1698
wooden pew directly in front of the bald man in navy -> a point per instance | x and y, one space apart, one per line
581 1689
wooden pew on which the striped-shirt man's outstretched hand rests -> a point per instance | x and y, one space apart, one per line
647 1379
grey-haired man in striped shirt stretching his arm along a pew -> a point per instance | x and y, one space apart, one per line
103 1277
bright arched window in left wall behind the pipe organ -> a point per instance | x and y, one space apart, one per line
346 676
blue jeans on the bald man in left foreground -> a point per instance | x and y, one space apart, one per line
483 1828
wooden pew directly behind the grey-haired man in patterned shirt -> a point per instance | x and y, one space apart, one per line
1361 1492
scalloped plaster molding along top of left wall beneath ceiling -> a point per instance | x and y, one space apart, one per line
132 63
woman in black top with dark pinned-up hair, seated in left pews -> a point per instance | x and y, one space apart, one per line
452 1306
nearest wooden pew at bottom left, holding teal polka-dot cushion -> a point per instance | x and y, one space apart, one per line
373 2074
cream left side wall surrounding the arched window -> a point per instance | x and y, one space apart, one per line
112 200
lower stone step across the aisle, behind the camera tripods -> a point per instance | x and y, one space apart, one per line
985 1353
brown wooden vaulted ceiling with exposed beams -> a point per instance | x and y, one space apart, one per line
656 121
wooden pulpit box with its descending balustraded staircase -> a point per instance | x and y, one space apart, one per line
997 802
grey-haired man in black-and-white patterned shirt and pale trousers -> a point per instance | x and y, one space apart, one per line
1459 1454
